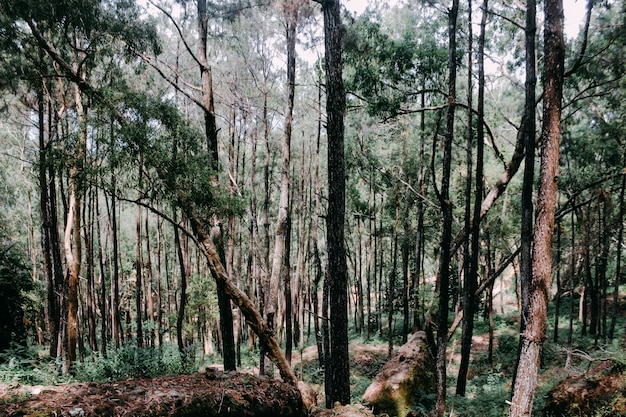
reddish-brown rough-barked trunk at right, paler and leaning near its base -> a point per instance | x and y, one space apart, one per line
535 331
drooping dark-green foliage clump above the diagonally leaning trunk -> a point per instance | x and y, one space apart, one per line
174 156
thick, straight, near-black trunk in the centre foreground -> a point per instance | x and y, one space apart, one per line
339 388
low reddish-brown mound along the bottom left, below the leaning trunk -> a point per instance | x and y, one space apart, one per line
204 394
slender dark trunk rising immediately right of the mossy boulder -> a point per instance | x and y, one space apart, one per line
443 277
